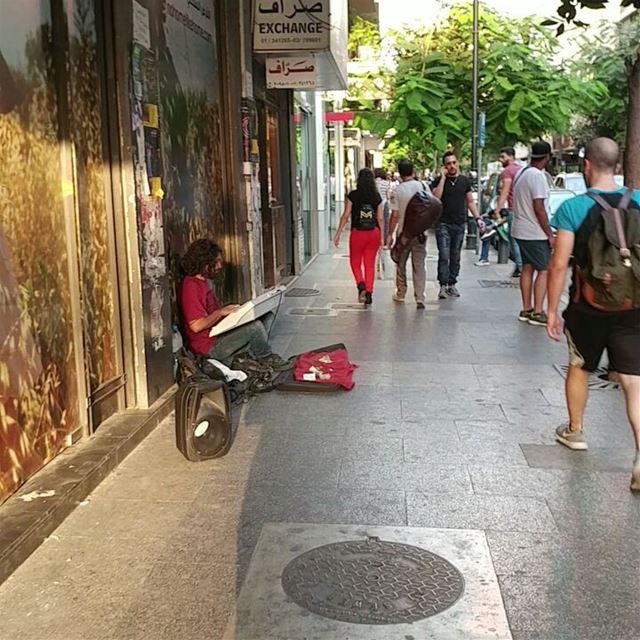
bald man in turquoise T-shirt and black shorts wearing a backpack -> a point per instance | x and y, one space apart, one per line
601 229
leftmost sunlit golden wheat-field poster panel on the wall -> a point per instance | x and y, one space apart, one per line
38 373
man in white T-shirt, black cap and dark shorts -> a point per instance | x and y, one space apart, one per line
533 233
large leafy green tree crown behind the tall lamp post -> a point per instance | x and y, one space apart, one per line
522 93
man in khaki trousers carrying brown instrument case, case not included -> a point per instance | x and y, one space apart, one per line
417 248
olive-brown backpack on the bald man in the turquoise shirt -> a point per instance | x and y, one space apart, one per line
608 271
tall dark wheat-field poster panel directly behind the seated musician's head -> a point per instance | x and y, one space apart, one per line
190 128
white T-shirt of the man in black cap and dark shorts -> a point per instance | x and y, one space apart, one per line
529 184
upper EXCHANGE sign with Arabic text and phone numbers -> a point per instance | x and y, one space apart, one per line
291 25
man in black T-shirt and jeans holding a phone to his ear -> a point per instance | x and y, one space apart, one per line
454 190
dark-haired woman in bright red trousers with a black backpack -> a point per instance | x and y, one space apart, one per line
365 208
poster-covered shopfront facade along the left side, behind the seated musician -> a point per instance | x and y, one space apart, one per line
127 130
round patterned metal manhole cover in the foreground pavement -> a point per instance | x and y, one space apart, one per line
372 582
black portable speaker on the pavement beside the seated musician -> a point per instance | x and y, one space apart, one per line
203 419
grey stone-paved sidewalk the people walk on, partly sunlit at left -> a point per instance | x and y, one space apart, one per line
449 428
